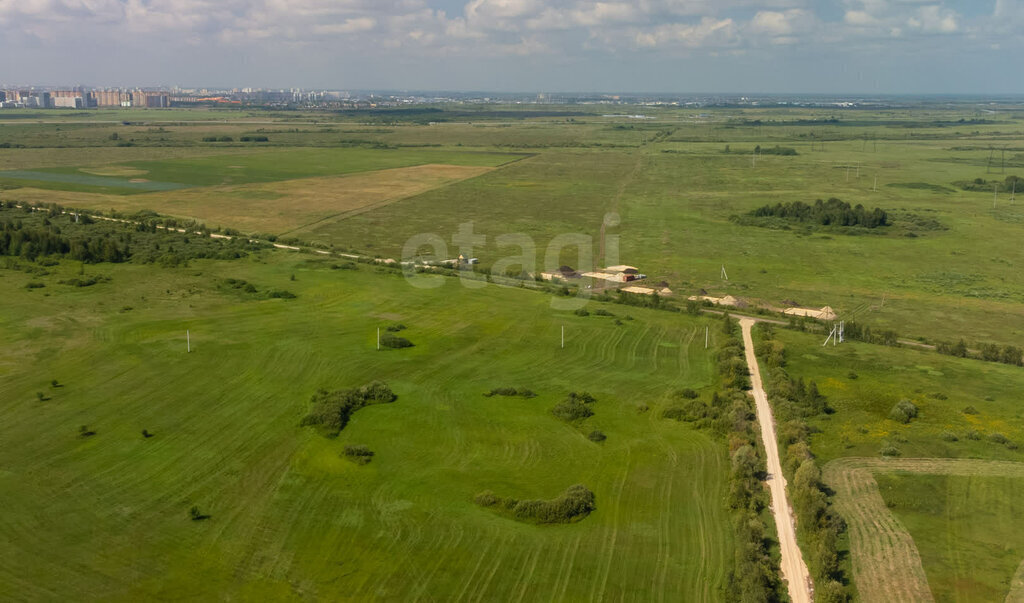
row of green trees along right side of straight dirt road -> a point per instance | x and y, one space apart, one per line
818 524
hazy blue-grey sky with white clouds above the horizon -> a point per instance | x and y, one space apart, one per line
676 47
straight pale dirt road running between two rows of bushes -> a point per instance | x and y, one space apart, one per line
794 570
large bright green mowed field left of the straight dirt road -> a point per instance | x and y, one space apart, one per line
106 518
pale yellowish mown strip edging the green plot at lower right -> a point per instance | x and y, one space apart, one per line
886 562
